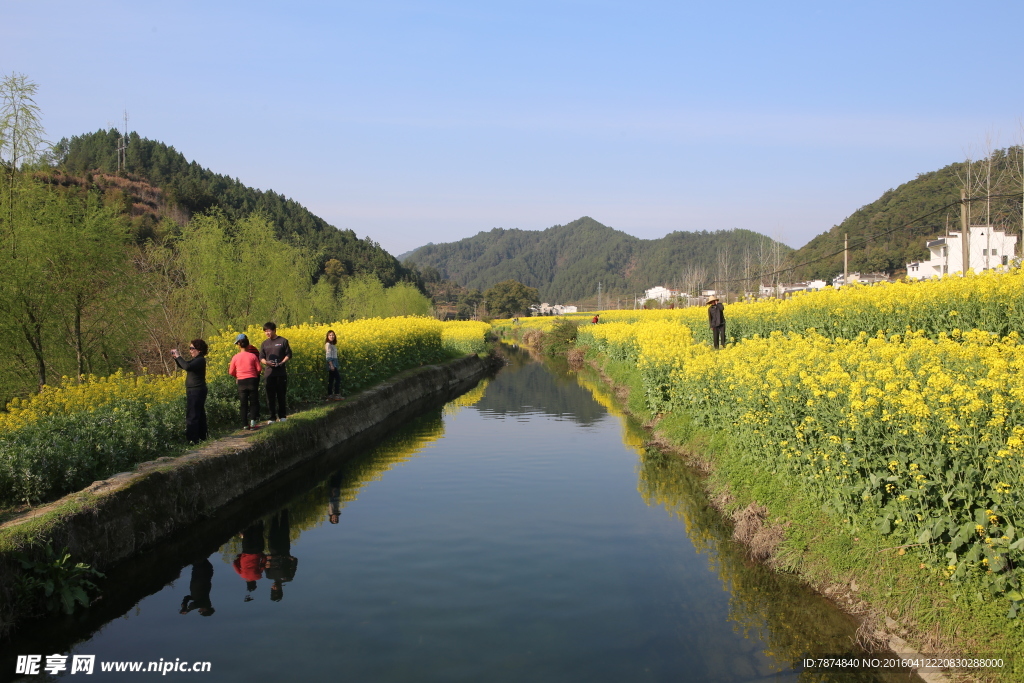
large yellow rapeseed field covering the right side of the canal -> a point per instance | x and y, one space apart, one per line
879 400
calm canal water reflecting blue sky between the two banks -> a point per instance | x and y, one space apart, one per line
521 533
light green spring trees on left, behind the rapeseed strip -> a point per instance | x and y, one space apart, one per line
90 289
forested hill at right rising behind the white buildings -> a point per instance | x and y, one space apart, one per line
897 208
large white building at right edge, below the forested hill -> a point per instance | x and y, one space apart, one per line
991 248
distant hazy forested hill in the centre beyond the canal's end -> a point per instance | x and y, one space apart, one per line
567 263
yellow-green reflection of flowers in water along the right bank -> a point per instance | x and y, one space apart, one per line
765 605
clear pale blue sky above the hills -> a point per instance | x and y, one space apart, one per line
417 122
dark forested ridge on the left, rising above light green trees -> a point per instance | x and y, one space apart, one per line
197 190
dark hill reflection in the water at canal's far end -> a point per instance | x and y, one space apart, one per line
527 387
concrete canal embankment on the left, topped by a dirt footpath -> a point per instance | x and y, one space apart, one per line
115 520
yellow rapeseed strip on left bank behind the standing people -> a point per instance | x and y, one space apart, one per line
67 437
